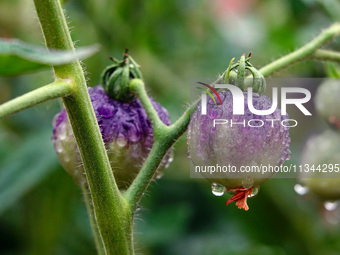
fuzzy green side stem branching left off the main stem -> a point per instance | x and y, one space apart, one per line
51 91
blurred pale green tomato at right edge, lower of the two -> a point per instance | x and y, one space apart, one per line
322 151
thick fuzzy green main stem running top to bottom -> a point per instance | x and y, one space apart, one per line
111 210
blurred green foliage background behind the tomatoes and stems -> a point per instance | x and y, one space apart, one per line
42 210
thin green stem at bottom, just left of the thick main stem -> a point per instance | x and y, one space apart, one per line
95 231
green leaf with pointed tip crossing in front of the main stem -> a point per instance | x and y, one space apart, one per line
18 57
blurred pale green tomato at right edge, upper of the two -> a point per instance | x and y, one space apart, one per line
327 101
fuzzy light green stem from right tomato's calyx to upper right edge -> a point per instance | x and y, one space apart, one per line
307 50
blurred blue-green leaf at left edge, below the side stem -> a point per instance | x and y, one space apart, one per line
26 167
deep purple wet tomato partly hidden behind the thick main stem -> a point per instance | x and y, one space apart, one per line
126 131
